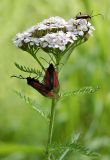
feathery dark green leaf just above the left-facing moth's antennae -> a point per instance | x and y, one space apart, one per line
28 70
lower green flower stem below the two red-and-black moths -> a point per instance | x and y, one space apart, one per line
51 128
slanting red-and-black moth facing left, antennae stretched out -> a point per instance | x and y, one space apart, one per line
41 88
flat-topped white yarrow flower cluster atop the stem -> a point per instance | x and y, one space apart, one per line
54 34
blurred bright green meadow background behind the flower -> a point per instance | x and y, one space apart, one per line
23 132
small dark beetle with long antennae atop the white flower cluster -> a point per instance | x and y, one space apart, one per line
85 16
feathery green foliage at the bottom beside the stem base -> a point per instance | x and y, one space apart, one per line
74 146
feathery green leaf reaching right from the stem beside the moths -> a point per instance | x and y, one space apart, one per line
81 91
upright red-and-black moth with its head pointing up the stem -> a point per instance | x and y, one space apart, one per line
51 78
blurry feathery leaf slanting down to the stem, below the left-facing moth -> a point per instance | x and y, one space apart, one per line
33 104
